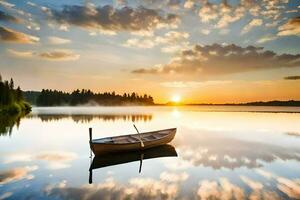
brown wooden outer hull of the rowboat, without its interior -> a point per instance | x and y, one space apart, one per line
100 148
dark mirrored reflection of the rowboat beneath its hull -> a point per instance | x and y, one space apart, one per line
111 159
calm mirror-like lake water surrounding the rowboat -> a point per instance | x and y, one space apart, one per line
222 152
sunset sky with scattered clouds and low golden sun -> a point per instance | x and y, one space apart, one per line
201 51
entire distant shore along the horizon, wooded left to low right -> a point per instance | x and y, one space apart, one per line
50 98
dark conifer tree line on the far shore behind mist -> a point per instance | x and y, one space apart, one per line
48 97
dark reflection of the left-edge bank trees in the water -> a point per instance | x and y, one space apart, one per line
7 123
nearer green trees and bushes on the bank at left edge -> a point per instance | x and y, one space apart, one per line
11 98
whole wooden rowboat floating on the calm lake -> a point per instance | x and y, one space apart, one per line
131 142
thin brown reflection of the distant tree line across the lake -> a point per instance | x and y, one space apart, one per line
88 118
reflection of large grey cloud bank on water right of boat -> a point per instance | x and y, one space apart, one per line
210 150
